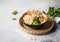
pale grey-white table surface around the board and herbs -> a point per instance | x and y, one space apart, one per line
10 30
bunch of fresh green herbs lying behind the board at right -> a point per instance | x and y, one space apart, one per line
53 12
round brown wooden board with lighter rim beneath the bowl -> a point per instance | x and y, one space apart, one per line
42 29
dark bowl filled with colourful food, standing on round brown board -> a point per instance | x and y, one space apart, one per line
34 18
